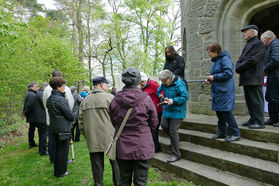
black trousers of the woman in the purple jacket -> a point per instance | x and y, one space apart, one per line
133 169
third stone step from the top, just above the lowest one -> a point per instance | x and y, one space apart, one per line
246 166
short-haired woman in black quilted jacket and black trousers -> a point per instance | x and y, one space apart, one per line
61 120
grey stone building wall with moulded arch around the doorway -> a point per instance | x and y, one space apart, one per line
207 21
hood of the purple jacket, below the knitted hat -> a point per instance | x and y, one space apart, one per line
129 96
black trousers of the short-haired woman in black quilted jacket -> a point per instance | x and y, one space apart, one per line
61 150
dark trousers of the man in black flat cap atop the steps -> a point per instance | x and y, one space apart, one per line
255 103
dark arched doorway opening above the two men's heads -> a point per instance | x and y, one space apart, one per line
267 19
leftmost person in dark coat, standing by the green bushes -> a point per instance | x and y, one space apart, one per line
28 112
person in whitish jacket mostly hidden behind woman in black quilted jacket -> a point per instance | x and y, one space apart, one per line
46 94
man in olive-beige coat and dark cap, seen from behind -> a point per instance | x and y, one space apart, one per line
95 125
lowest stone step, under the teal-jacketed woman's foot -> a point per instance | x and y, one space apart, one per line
201 174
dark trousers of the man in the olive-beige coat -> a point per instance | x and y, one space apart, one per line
97 165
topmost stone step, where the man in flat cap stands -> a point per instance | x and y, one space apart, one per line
209 124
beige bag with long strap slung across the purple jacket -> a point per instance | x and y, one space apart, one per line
111 150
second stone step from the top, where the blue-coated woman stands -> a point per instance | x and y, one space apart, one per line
261 150
